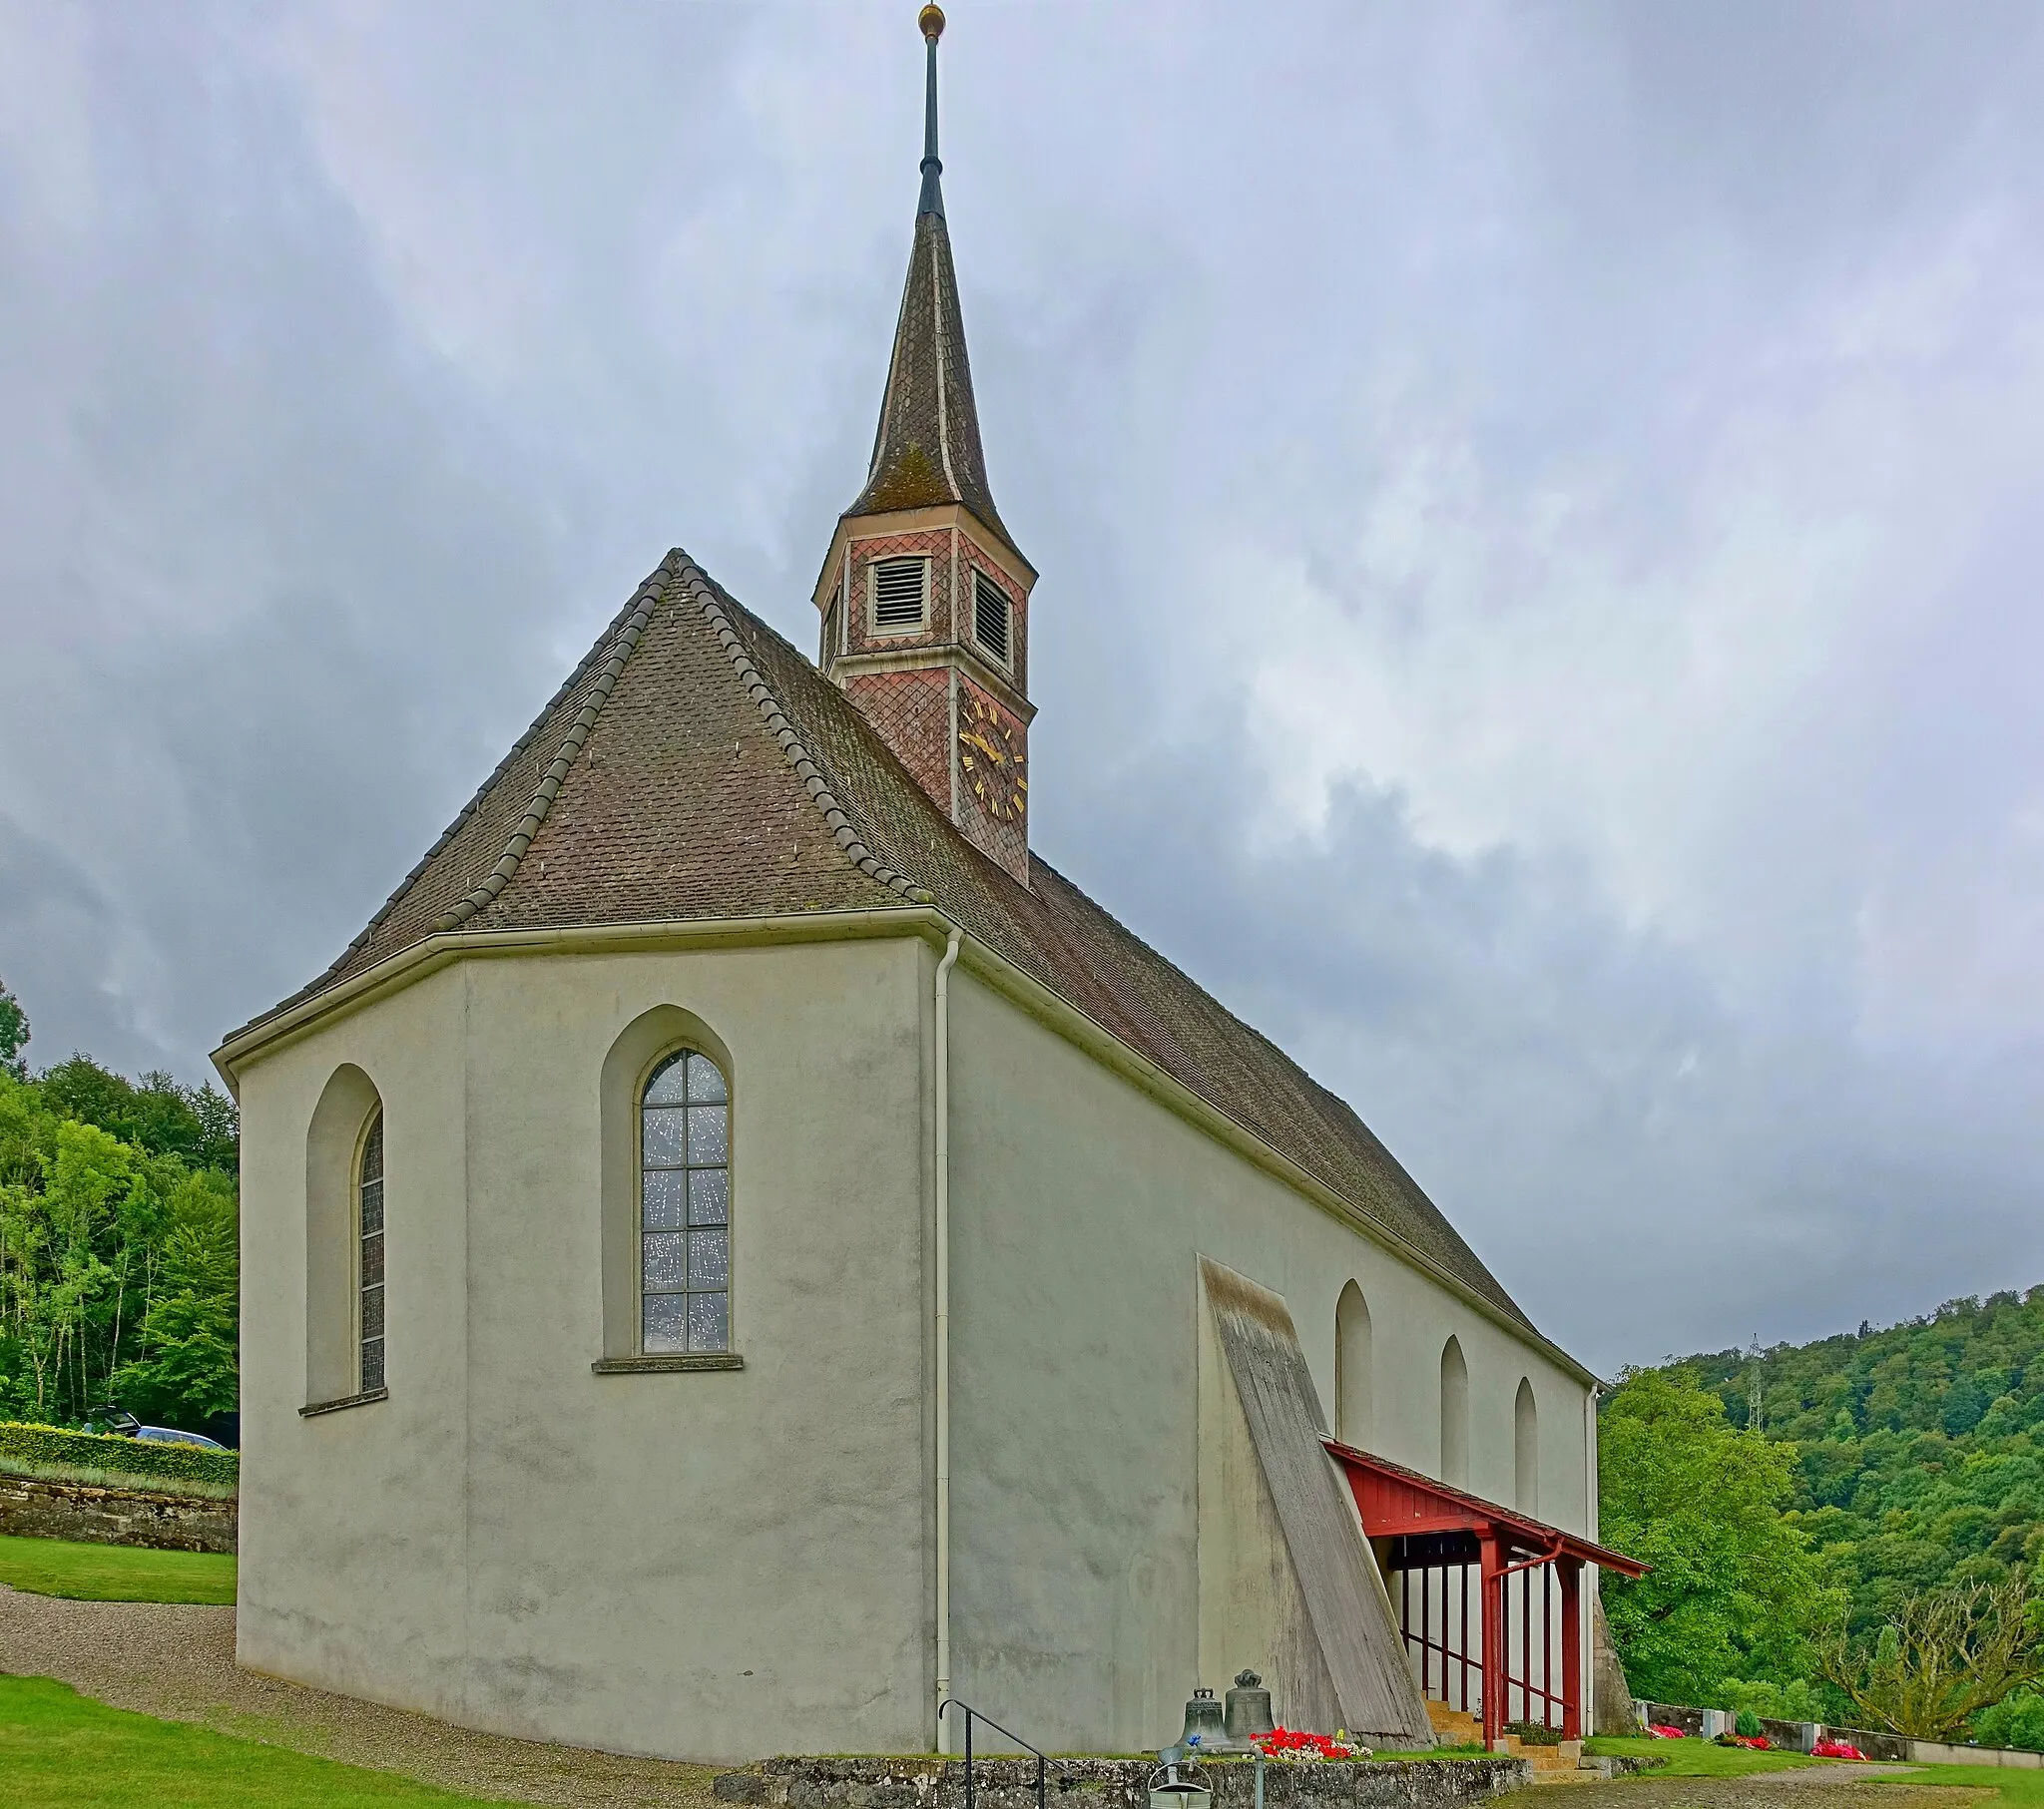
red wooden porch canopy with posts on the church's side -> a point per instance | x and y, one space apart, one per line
1436 1528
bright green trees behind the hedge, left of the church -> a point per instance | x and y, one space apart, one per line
118 1244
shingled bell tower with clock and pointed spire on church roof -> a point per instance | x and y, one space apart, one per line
925 596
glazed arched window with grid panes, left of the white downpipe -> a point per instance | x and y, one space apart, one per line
686 1207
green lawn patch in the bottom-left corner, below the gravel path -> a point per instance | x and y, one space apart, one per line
58 1747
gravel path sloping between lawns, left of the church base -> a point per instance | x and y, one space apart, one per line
181 1663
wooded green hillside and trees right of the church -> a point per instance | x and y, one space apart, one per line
1808 1499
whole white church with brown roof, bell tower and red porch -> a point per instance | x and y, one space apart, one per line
741 1252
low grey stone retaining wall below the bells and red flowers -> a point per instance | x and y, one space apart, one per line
1117 1783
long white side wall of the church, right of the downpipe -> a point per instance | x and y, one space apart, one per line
1080 1207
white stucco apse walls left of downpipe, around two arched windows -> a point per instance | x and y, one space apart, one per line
710 1565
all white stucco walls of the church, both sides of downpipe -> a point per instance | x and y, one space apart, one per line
727 1565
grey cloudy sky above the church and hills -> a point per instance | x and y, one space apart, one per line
1540 516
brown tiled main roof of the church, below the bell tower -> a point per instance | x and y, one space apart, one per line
696 766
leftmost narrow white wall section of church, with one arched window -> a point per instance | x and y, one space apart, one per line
359 1520
